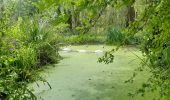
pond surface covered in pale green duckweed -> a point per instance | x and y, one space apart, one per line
80 77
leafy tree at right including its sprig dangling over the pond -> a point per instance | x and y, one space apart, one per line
153 25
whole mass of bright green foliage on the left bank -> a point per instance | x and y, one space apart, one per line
25 45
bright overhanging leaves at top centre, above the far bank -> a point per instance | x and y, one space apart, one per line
80 15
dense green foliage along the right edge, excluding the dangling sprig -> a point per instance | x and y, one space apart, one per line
154 23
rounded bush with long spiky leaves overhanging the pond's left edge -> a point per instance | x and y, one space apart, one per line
44 42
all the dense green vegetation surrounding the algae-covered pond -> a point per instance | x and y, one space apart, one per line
31 31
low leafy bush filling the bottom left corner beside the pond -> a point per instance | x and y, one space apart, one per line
16 74
